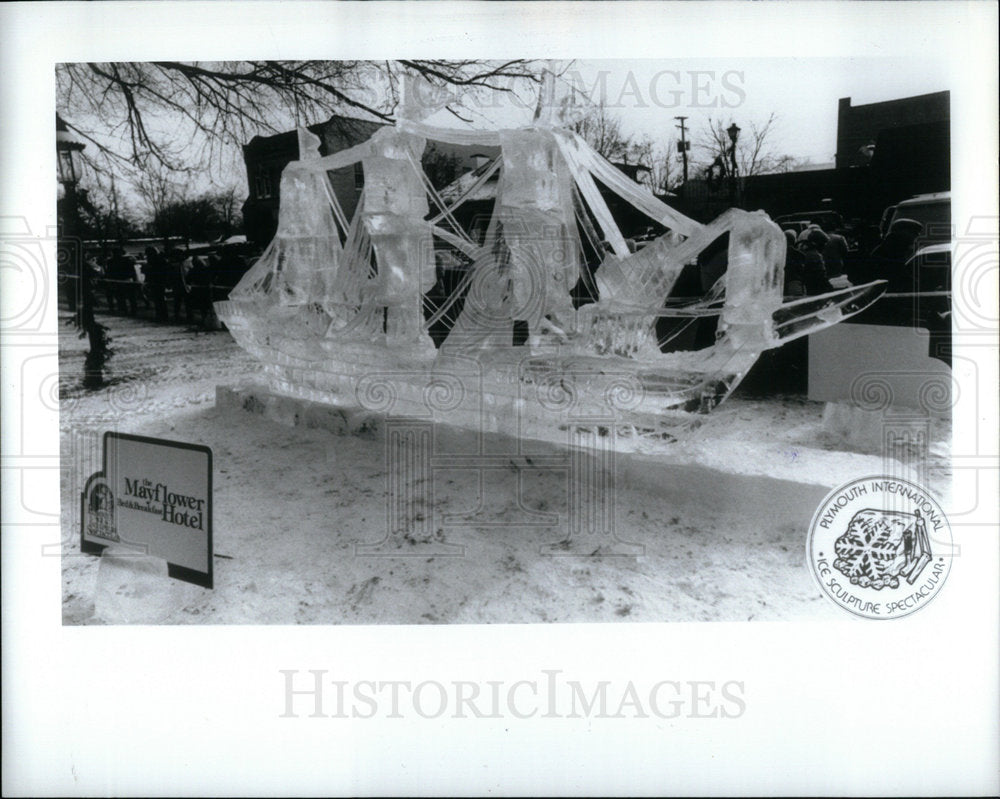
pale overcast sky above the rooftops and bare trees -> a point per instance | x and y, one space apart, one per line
647 95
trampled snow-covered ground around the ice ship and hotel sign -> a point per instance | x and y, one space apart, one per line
722 539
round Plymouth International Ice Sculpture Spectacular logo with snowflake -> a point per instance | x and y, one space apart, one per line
880 547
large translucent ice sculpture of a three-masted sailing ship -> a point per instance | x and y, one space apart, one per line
543 324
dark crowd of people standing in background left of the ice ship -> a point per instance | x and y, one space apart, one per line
168 279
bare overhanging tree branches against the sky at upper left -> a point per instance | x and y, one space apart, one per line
137 113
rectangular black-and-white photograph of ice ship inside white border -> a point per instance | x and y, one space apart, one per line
438 358
